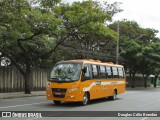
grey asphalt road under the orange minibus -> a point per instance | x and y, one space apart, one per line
132 100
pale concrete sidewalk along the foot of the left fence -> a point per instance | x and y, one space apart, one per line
21 94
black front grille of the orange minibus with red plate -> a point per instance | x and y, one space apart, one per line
59 92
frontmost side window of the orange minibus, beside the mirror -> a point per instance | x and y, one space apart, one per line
87 74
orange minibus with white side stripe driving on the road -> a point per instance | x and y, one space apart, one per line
85 80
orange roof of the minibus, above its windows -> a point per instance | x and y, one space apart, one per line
93 62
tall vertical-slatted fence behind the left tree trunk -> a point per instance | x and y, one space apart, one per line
11 79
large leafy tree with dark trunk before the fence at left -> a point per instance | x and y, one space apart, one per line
27 35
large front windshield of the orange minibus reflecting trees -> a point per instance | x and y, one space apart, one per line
66 72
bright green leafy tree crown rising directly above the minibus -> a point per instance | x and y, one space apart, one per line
85 23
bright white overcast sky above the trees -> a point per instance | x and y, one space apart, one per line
144 12
